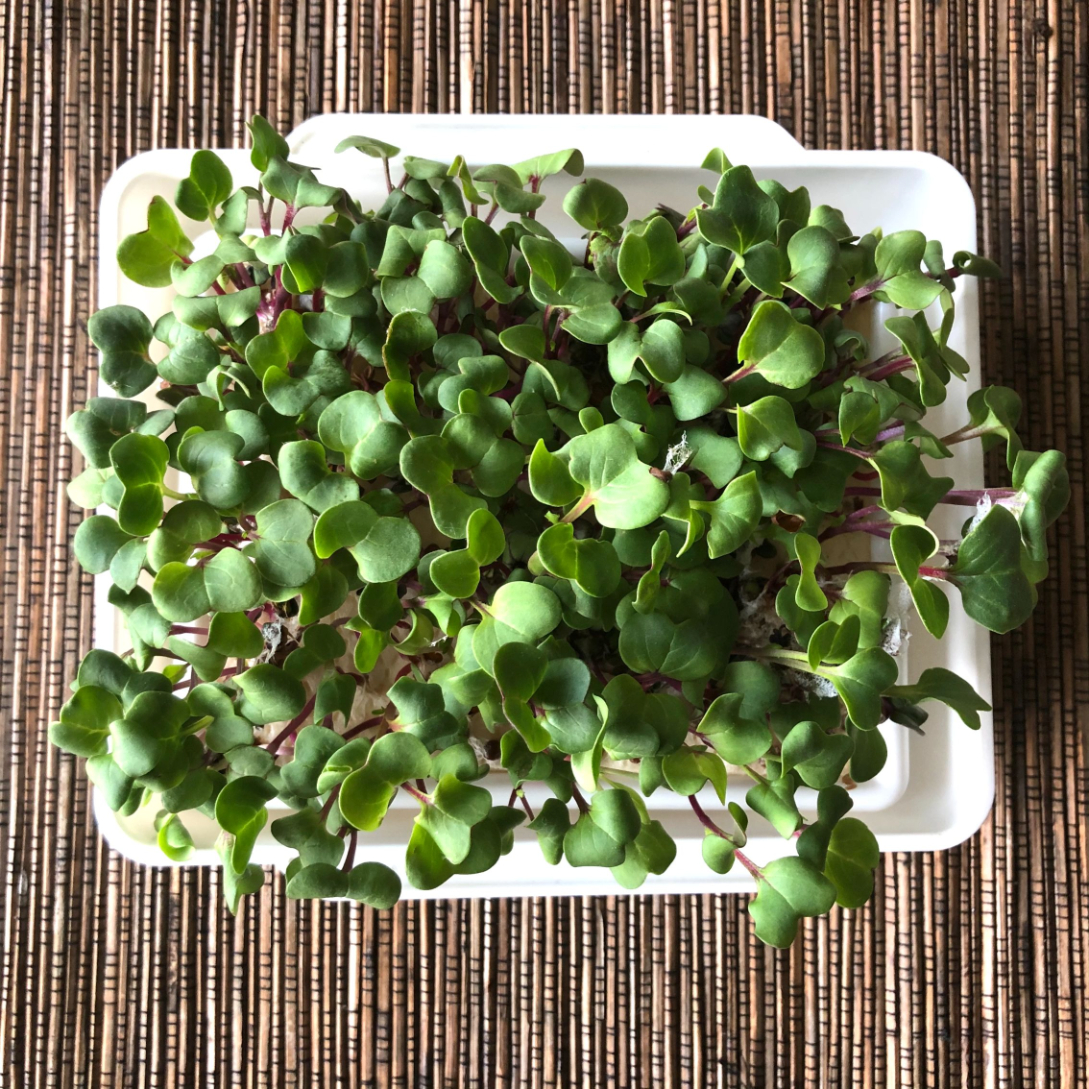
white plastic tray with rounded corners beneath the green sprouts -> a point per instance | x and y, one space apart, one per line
914 804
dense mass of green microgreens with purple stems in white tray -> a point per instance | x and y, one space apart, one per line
454 501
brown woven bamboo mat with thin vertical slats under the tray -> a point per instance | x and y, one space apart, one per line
970 966
